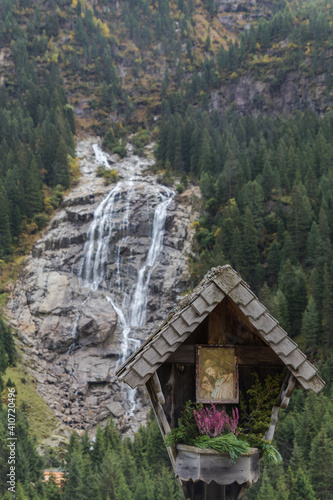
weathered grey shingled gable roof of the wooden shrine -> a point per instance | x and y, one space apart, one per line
220 282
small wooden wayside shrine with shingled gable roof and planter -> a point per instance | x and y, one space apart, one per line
221 325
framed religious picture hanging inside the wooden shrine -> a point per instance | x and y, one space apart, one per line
216 374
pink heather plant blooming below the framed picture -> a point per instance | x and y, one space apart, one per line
213 423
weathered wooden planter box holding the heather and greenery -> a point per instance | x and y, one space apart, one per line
209 465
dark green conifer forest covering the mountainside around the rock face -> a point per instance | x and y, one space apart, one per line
237 98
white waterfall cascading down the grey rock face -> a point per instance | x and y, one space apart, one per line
103 266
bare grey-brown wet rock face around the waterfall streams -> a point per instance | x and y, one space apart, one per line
71 335
